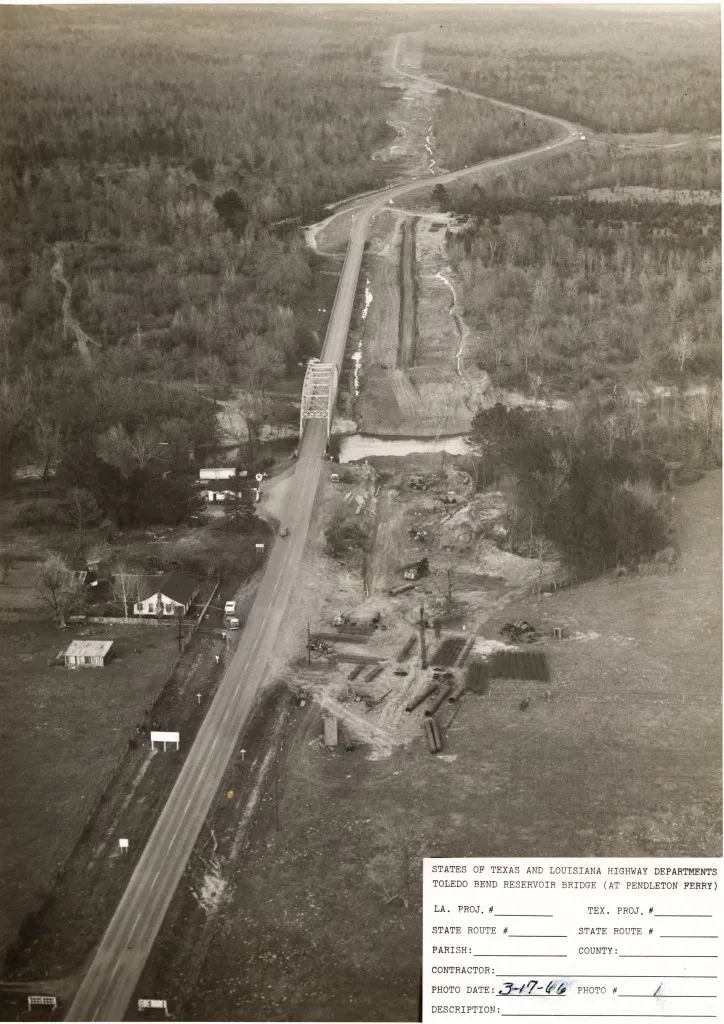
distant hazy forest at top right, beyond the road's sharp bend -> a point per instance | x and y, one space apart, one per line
635 69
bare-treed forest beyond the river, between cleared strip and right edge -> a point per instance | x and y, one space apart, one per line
595 291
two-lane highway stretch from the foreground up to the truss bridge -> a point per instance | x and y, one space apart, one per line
120 958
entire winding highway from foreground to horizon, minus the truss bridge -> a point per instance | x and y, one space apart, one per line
119 960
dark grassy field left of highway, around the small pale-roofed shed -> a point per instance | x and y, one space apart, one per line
62 735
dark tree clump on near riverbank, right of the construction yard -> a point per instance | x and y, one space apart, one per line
598 498
